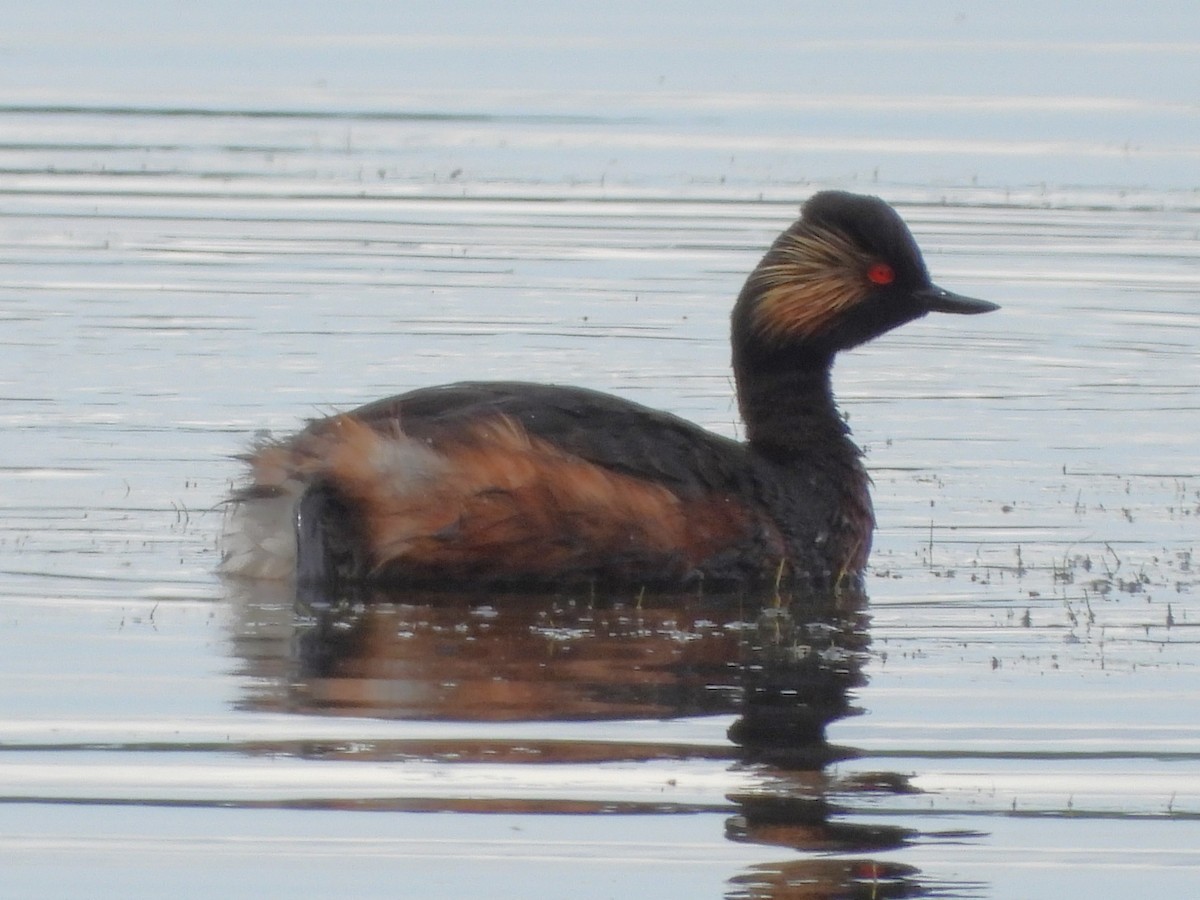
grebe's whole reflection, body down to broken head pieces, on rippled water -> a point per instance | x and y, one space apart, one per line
783 668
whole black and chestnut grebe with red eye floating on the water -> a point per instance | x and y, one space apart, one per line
513 484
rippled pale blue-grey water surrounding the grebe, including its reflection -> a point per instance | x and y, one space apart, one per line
184 262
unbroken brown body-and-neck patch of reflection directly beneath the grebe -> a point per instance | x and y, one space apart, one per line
785 668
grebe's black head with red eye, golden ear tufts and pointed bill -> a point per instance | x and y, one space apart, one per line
847 272
